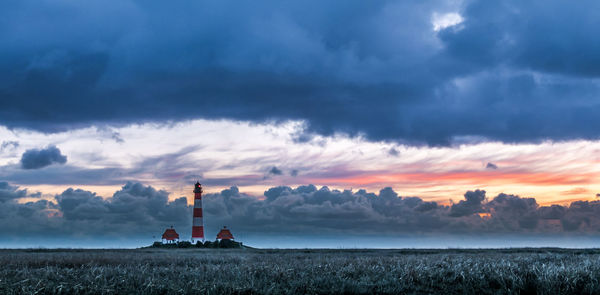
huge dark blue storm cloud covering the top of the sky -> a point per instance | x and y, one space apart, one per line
512 71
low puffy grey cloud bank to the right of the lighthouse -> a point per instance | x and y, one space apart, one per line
308 209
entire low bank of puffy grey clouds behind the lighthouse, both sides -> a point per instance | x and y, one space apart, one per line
137 210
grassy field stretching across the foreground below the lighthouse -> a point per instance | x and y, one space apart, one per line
214 271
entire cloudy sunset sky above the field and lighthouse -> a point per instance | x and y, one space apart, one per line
309 124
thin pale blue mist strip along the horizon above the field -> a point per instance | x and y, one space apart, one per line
331 242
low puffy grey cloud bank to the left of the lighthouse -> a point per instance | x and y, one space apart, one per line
134 211
